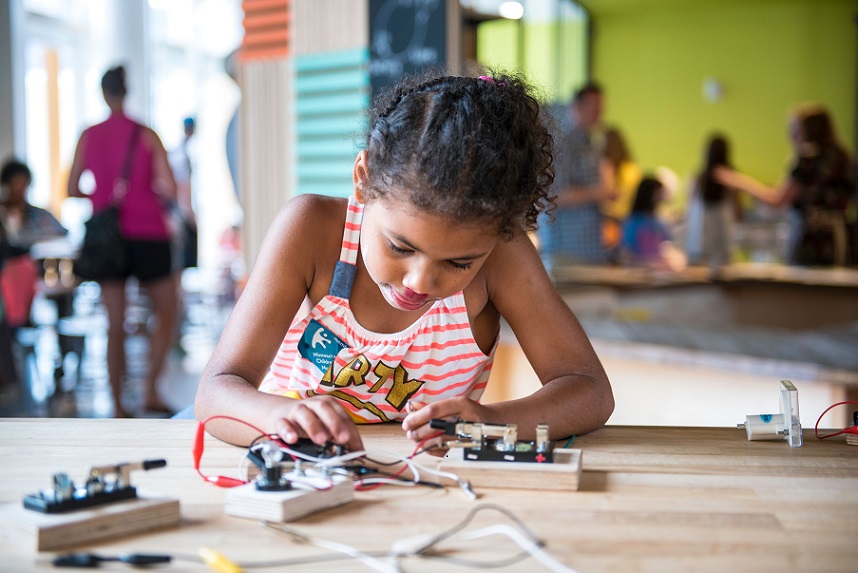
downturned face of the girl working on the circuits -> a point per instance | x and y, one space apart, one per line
415 257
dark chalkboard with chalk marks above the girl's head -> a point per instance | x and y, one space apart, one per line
405 36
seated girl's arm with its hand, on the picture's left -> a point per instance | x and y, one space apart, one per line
282 276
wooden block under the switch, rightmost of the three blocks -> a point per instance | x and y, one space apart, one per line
563 474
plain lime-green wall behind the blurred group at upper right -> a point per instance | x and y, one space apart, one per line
652 56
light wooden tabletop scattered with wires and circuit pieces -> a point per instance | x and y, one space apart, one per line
651 499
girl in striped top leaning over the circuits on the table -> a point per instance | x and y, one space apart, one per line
408 280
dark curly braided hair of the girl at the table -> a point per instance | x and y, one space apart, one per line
473 149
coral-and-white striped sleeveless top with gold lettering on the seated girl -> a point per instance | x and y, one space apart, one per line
375 375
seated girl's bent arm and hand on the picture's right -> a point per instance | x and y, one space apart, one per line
575 396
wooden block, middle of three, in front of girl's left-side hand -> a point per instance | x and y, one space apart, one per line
283 506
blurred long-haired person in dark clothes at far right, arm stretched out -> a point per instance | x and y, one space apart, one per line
818 190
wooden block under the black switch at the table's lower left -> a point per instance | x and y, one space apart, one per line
49 532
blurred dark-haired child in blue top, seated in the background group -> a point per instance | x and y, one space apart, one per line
645 237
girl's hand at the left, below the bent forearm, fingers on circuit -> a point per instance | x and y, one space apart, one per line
320 418
